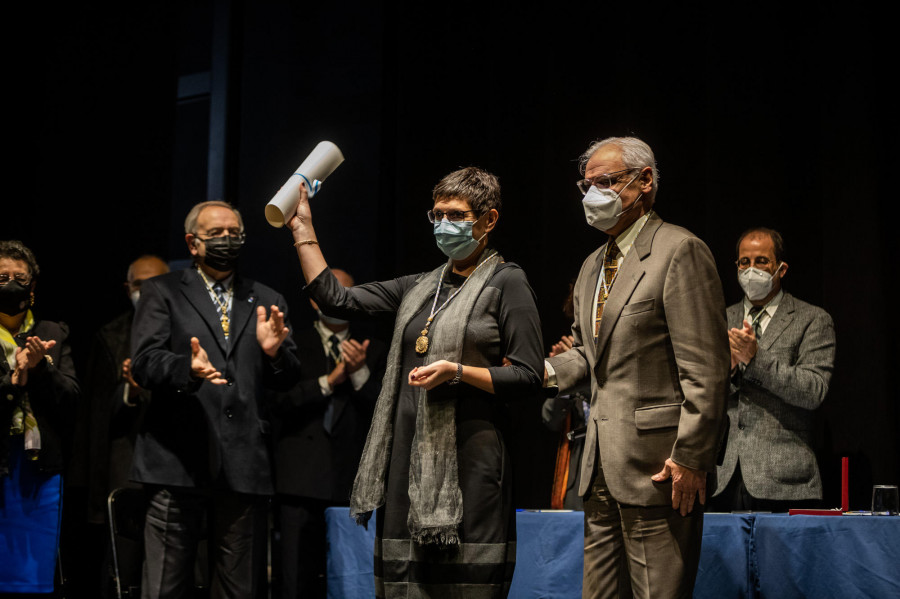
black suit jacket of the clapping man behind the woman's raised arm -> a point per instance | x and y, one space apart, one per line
309 461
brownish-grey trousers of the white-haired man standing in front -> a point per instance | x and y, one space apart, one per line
655 549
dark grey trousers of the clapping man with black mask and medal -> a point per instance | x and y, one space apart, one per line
178 518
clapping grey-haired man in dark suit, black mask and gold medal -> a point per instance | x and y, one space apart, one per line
202 453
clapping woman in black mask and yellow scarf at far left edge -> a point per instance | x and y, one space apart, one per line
38 397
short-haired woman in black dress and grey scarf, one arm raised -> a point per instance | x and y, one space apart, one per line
435 465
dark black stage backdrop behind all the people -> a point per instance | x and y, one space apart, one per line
758 114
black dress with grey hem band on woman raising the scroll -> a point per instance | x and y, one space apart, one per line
482 564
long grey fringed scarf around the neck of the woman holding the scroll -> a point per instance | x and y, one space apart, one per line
435 500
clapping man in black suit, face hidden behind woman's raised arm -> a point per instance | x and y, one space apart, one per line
321 429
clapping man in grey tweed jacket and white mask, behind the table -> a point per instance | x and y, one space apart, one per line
782 355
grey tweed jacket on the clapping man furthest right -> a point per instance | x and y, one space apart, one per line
770 406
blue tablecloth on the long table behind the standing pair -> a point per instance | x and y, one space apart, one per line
771 556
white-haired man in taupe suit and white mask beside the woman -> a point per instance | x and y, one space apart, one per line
650 334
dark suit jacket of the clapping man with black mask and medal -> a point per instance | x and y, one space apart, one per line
196 434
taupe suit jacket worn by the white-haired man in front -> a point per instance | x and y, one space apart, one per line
659 373
